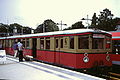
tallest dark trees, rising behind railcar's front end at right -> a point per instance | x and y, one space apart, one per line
104 21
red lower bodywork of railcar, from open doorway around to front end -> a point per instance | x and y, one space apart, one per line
73 60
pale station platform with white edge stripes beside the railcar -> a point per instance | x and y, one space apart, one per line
12 69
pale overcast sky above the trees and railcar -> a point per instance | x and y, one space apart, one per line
33 12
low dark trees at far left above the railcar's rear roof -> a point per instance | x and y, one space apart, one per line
6 30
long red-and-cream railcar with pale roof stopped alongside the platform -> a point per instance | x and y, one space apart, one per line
79 48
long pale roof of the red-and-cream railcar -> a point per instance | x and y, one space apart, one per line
74 31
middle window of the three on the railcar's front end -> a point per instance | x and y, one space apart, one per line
98 43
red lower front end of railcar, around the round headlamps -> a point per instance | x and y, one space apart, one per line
94 60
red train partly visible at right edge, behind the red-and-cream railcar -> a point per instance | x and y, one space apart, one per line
115 56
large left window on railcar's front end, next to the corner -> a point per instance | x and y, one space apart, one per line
83 42
